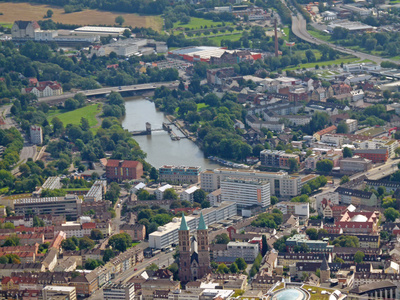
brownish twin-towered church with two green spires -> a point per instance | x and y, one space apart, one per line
194 255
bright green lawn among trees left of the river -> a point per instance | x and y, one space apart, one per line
74 117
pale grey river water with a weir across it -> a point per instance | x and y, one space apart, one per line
160 149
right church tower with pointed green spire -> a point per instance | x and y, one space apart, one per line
203 248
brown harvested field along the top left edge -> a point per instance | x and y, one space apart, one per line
28 11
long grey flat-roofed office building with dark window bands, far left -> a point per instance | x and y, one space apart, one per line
69 206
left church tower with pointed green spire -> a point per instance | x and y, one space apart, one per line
184 251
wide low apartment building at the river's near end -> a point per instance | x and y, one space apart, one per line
179 174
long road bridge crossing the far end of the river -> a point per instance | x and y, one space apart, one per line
107 90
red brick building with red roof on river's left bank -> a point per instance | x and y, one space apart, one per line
121 170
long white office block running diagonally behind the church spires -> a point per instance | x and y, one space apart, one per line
167 235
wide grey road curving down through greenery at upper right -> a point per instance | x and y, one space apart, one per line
299 28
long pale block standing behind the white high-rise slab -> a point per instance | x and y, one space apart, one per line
281 183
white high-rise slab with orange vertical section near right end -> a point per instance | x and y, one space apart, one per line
246 192
